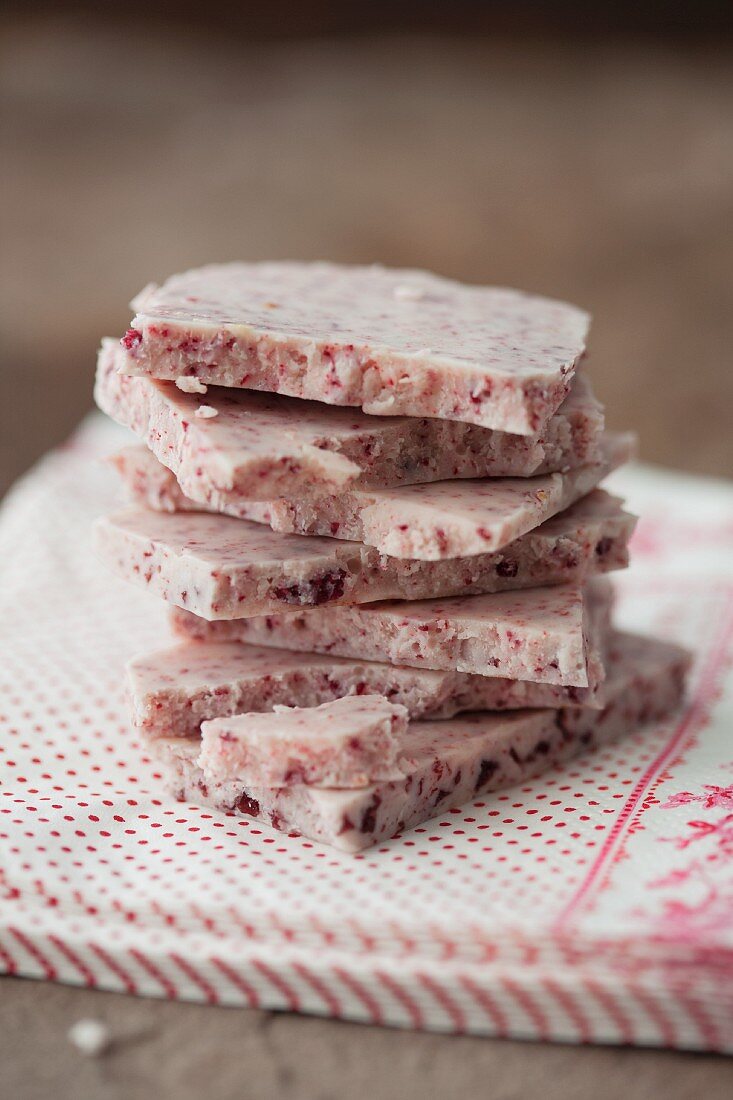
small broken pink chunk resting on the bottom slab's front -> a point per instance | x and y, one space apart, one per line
349 743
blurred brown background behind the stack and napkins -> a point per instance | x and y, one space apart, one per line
576 152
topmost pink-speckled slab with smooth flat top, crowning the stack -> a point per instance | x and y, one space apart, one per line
393 343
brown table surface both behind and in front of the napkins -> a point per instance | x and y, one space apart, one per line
599 172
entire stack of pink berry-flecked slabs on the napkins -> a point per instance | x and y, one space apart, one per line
371 499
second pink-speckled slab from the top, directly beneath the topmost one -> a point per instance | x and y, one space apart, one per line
246 446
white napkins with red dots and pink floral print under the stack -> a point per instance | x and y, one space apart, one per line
595 904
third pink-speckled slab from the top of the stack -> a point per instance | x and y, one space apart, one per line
429 523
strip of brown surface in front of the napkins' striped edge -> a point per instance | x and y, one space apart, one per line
189 1052
